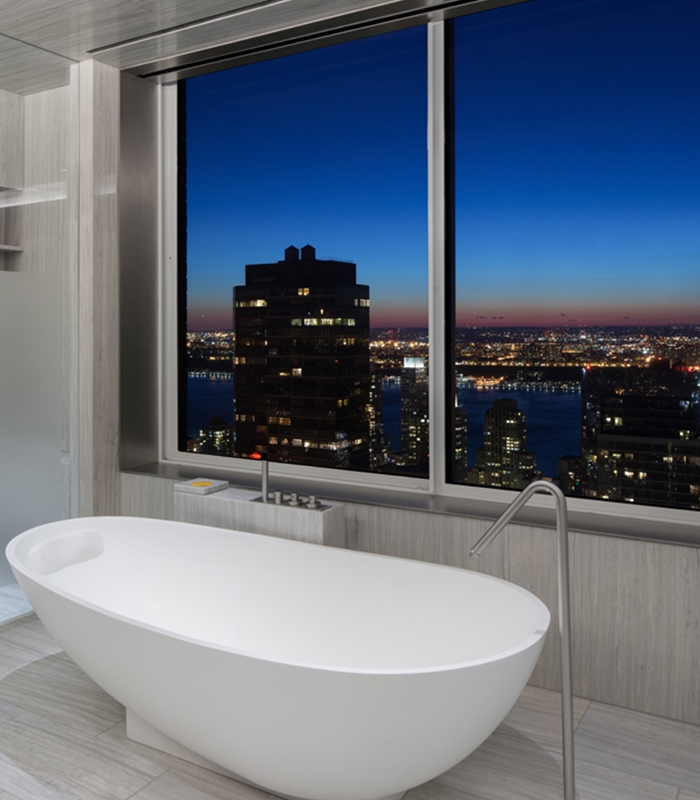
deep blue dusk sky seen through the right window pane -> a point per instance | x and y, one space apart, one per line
578 125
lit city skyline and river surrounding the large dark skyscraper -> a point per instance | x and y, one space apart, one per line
649 379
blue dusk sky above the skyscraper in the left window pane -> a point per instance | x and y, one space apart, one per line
324 148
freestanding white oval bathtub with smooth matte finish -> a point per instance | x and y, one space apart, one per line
310 671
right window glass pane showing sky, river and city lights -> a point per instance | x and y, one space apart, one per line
578 247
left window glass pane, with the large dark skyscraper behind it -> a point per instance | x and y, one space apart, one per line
306 248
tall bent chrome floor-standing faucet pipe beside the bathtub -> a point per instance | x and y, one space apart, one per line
567 708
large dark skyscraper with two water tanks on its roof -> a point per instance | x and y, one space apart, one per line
301 367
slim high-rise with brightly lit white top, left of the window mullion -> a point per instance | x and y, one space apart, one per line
415 424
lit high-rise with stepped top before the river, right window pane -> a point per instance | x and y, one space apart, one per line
504 461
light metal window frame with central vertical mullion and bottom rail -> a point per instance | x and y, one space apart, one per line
440 301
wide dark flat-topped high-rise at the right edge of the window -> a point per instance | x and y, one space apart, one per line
641 434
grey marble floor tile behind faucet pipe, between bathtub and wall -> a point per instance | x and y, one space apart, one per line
537 715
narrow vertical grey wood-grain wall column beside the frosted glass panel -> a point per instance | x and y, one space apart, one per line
99 290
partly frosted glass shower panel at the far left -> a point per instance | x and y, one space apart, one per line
38 289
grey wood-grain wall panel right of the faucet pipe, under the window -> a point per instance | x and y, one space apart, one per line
636 610
